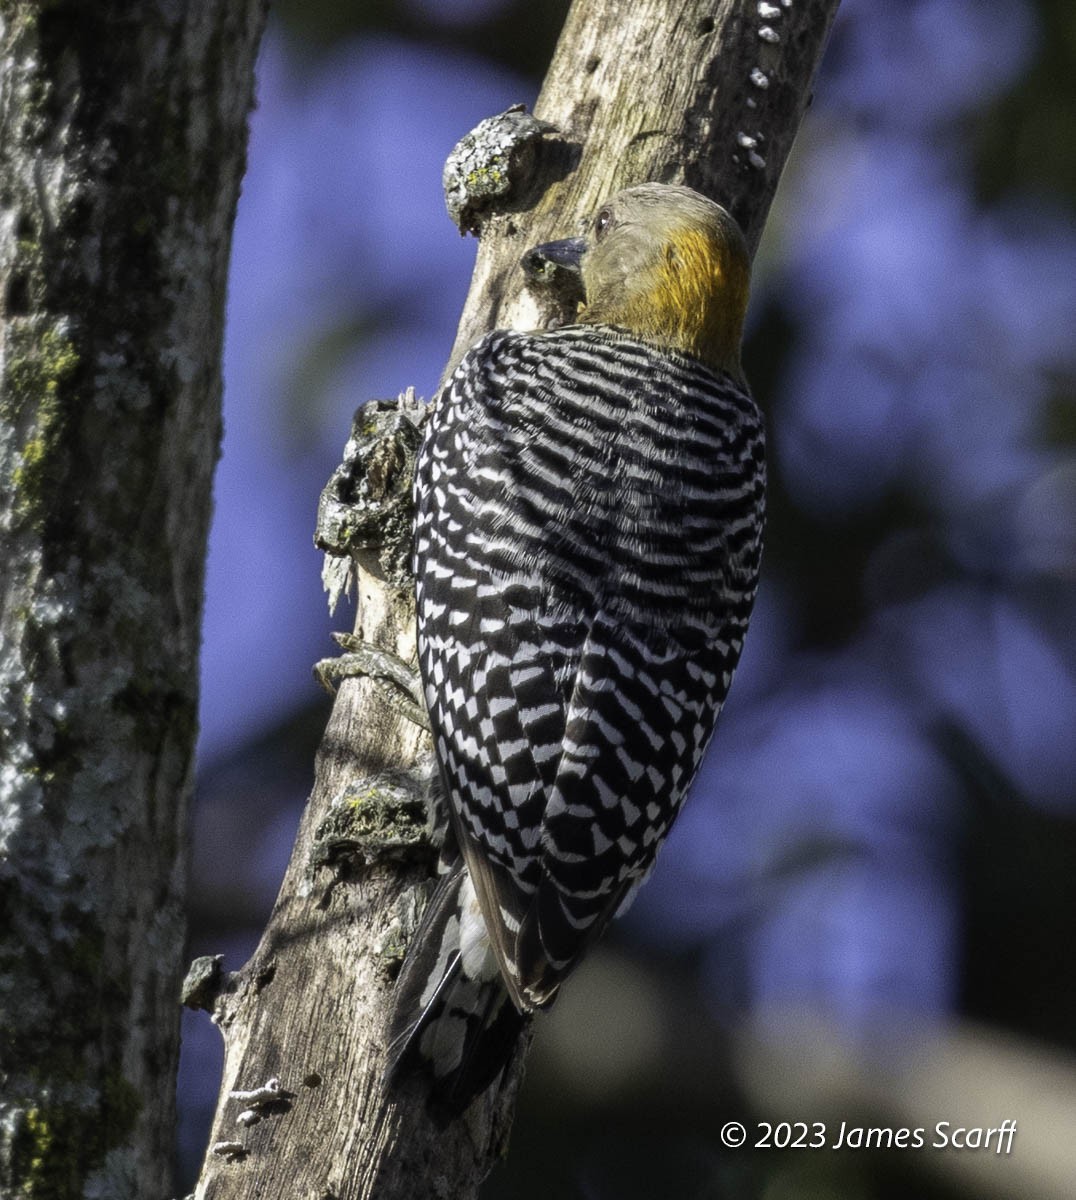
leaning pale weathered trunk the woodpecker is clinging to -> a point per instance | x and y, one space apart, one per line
641 91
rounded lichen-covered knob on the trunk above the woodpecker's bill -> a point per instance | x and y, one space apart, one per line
491 164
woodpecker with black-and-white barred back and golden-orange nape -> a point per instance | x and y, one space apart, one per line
590 518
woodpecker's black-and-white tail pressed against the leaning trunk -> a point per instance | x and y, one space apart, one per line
453 1021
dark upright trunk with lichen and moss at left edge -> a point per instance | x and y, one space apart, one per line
123 134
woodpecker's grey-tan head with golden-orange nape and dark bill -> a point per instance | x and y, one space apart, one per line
666 265
